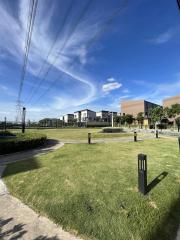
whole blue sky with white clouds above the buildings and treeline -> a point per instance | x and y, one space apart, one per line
106 51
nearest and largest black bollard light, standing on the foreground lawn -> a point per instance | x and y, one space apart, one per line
142 173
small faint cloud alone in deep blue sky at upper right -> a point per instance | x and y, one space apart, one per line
163 37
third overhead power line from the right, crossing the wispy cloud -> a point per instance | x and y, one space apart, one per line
51 48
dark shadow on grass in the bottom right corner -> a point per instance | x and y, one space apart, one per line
168 227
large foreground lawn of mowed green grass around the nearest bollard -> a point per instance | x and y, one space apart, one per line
91 190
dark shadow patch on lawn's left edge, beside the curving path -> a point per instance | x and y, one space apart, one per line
21 166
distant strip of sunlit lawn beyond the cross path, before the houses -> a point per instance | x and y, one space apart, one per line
77 133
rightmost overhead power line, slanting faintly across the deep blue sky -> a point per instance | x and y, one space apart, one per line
107 23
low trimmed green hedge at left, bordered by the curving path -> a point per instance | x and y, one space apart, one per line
21 142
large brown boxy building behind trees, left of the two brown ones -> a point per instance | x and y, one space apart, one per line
134 107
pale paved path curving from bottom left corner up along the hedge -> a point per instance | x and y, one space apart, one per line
18 221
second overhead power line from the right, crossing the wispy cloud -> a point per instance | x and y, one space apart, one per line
64 44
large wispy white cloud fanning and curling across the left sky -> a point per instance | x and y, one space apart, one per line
74 45
